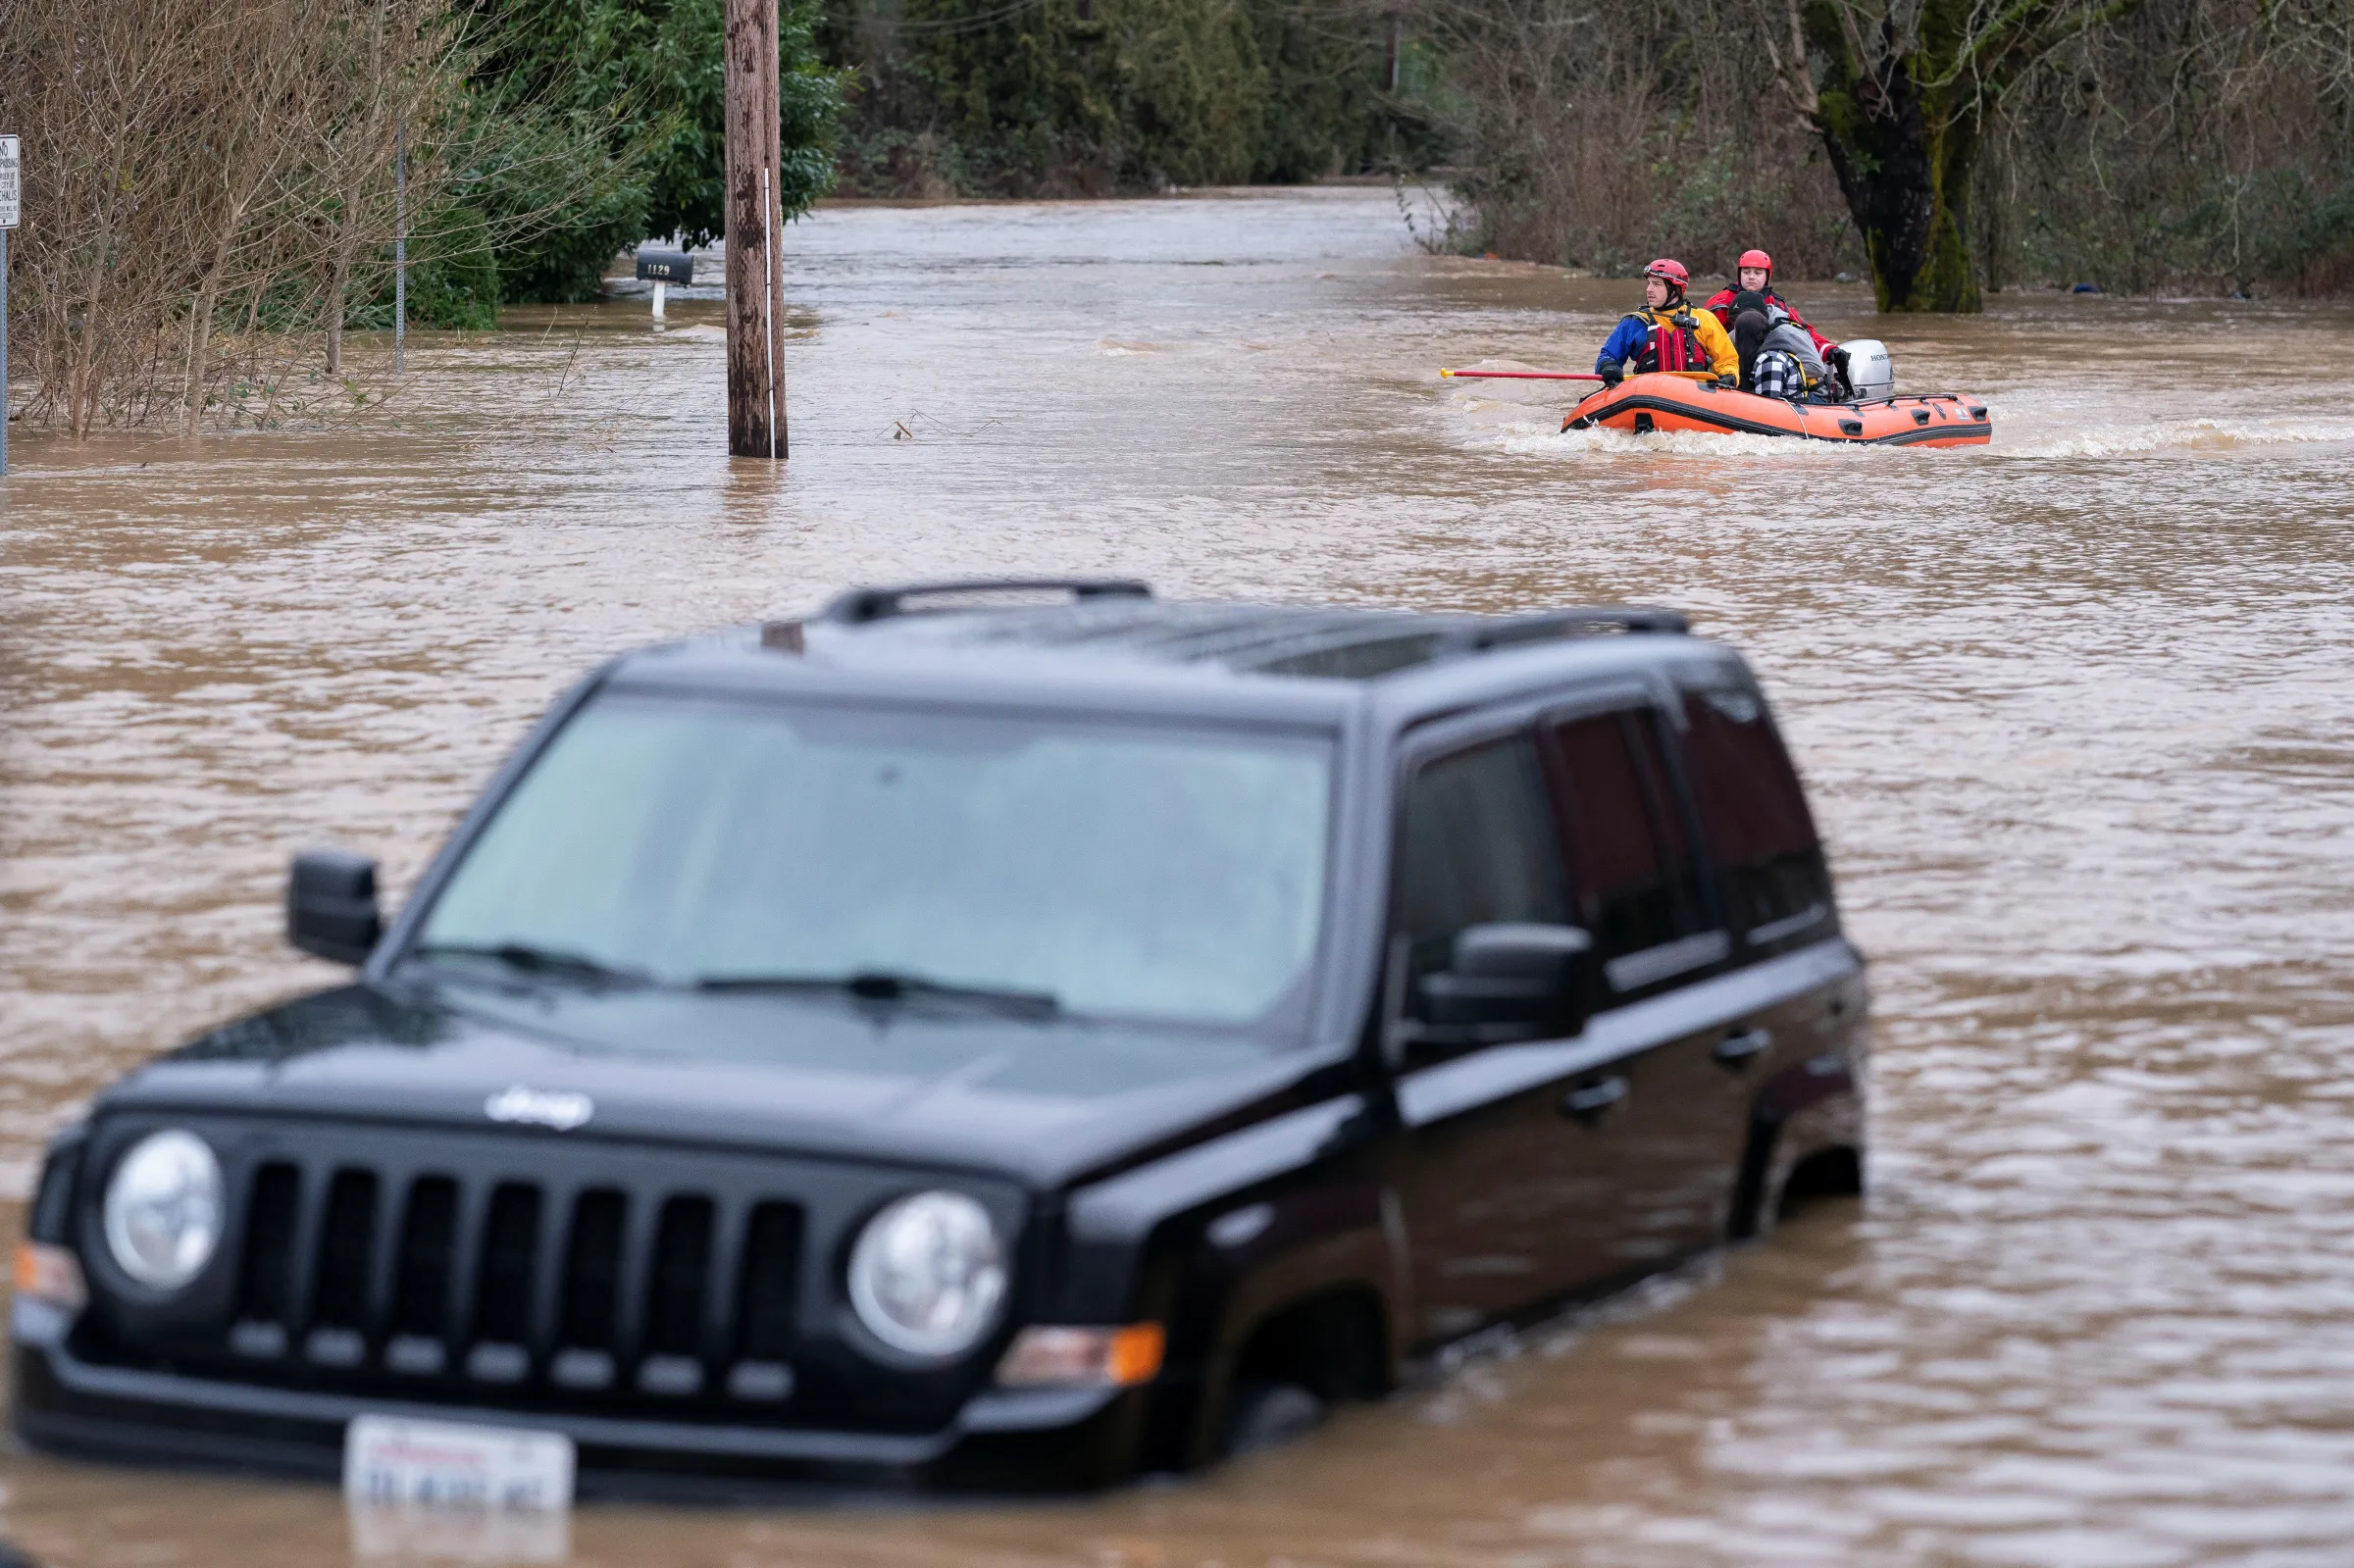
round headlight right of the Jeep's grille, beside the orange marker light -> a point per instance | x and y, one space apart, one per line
929 1275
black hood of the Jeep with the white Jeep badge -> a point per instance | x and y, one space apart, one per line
1046 1103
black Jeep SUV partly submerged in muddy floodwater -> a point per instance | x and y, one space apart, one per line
983 1032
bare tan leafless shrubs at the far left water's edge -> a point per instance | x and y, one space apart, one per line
204 161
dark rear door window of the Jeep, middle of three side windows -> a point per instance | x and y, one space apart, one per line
1630 865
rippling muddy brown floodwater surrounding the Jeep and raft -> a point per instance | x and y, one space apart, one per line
2075 712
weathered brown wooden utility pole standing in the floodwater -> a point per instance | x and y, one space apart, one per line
754 222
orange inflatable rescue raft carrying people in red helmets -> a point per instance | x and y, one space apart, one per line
1680 404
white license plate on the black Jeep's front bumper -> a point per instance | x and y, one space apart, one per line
394 1463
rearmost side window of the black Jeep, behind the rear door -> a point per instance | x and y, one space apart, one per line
1755 820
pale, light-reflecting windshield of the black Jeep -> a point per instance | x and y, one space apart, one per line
1093 868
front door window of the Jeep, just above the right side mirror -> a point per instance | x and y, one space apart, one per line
1475 846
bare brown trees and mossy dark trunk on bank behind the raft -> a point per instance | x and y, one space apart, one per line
1943 147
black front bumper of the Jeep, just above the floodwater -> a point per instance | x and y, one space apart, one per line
1002 1437
